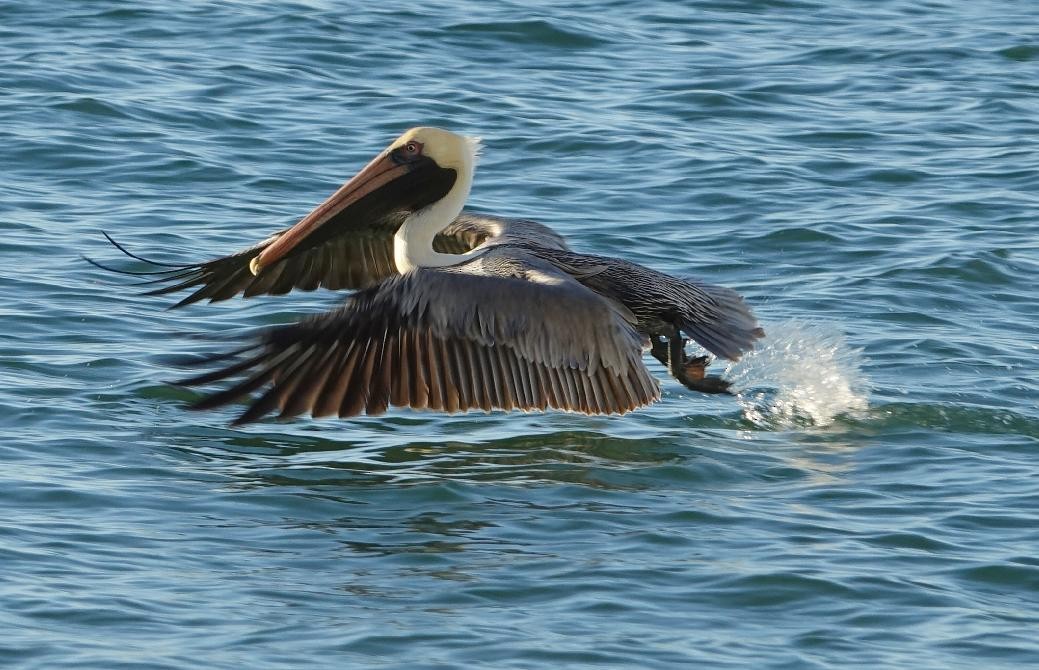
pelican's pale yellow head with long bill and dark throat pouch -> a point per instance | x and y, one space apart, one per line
427 171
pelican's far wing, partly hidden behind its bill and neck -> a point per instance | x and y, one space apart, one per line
356 258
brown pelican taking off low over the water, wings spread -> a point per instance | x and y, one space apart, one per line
452 311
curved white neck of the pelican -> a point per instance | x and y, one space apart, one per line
413 246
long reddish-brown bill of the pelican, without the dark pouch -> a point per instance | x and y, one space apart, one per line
379 173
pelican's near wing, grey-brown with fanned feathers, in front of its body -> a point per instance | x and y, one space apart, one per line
503 332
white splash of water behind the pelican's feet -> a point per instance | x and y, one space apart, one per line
801 376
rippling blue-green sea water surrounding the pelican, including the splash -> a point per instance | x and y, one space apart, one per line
866 174
